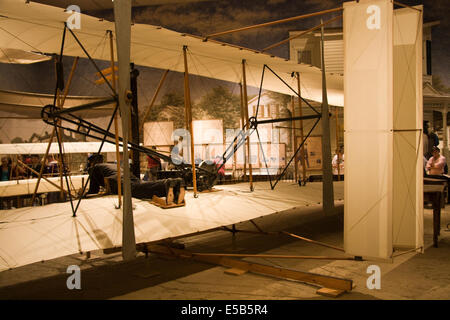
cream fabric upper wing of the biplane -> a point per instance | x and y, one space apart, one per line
36 27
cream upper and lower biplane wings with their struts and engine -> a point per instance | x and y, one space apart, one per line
33 32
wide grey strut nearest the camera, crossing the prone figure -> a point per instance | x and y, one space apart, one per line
122 14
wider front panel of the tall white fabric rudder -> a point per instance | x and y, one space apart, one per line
368 94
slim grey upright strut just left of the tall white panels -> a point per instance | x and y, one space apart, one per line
327 173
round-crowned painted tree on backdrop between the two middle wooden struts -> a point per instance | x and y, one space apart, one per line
220 103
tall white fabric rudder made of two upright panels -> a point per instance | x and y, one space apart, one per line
382 120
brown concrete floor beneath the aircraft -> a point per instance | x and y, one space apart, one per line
410 276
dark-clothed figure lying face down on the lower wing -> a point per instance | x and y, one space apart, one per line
169 188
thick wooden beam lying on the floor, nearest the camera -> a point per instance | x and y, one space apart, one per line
313 278
